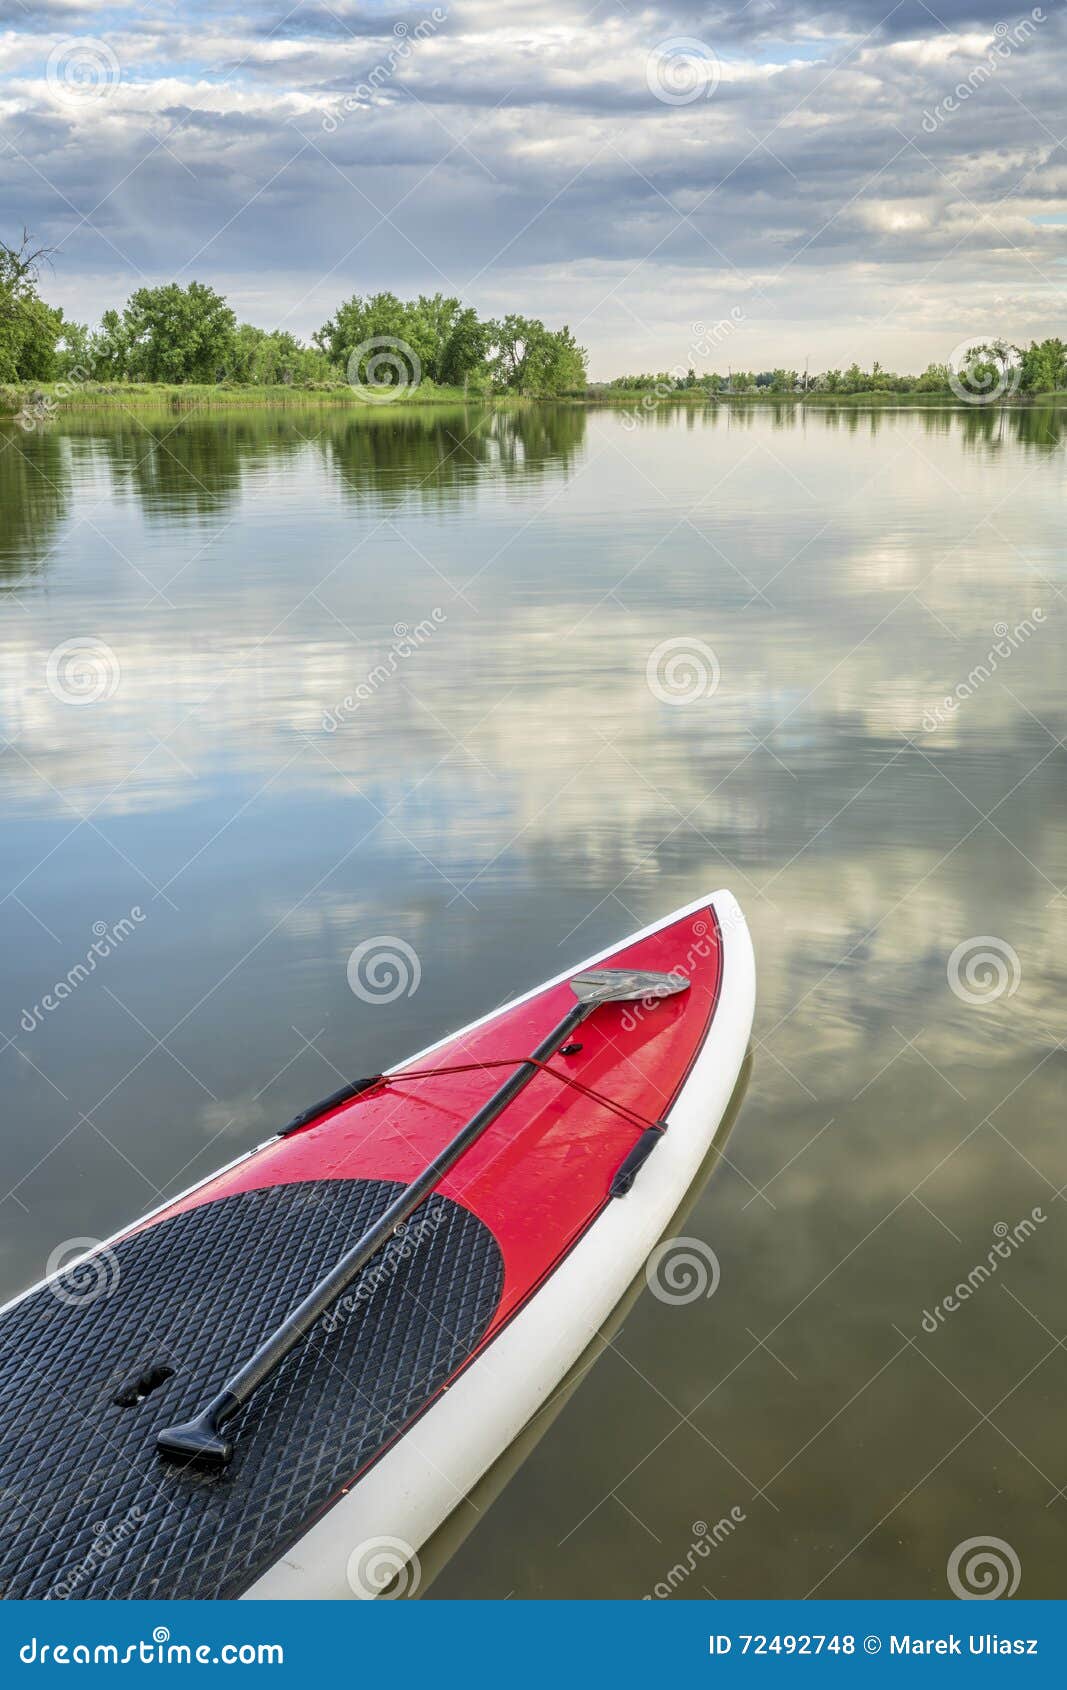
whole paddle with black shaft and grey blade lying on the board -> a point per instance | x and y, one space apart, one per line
202 1439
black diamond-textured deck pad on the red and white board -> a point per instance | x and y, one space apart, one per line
89 1508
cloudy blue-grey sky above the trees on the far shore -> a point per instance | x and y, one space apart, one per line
686 183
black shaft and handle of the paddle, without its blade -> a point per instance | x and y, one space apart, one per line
295 1329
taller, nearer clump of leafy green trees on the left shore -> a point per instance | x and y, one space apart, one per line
180 335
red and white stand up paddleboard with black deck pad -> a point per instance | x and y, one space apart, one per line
295 1371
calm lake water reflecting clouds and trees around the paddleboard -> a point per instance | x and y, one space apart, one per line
523 777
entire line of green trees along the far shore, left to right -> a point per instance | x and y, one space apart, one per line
180 335
